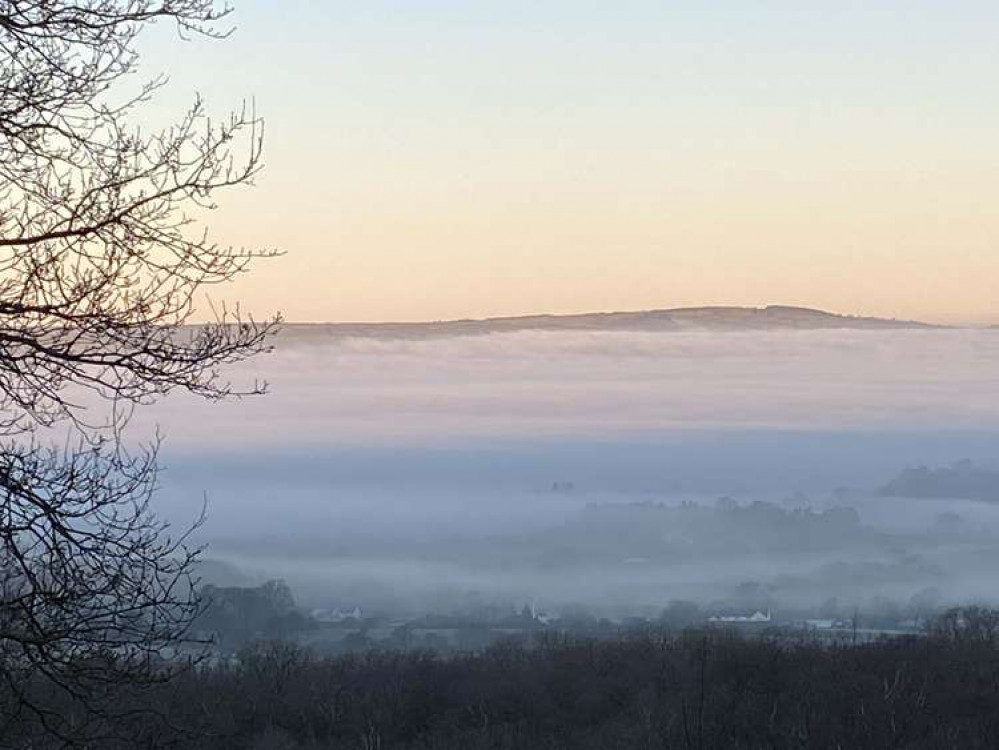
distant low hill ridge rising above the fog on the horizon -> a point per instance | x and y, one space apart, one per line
772 317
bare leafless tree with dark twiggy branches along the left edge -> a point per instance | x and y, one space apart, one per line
101 257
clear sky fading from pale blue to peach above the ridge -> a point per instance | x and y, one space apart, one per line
453 158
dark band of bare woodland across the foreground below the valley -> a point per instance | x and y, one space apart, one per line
652 690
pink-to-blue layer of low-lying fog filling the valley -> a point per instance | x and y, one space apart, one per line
437 474
